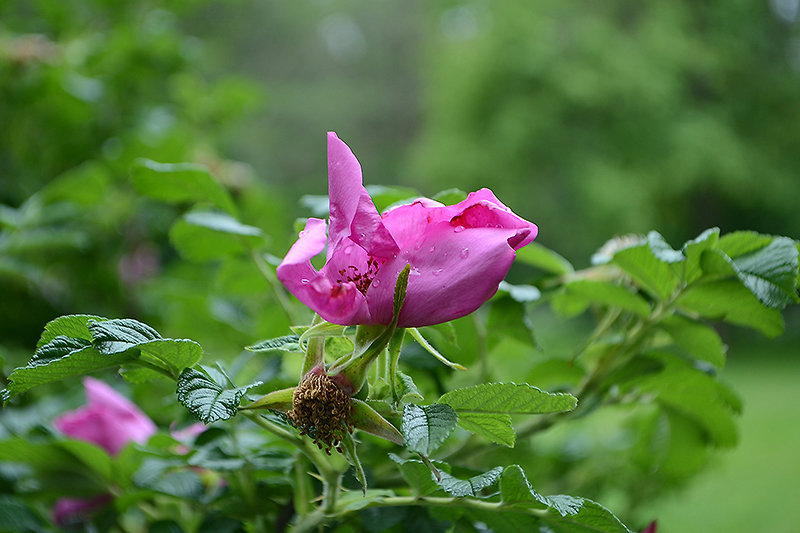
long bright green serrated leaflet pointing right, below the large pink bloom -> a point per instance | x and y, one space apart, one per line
507 398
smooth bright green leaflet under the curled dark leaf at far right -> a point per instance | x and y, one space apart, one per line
732 302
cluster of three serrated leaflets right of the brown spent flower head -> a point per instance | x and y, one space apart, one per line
484 410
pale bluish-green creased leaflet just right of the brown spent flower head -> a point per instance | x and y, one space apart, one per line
425 428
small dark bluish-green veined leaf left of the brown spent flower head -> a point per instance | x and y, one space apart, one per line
207 399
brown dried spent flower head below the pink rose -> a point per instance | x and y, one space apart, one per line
320 409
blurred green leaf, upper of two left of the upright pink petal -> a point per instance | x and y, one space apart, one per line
179 182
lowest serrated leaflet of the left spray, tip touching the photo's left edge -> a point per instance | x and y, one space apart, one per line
76 363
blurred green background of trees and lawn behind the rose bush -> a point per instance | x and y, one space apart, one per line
591 119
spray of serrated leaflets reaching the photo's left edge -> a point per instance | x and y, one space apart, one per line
74 345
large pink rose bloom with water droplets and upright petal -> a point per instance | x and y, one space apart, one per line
458 254
